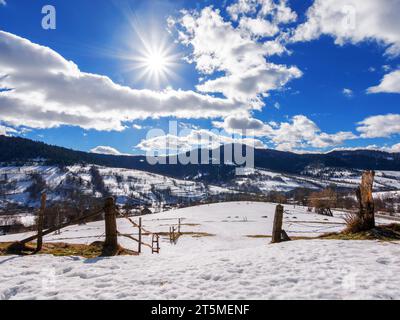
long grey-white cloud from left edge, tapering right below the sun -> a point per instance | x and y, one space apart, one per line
48 91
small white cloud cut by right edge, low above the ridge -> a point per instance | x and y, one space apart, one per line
381 126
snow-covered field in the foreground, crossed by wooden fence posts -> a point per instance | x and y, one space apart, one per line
226 265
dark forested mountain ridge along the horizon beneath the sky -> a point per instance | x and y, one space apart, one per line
21 150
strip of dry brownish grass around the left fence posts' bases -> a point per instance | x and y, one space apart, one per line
61 249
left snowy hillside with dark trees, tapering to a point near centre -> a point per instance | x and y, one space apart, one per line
138 185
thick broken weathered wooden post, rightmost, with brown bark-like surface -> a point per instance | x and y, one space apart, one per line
366 213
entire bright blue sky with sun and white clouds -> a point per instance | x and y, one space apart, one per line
326 87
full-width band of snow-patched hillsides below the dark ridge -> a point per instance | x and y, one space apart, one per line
17 183
